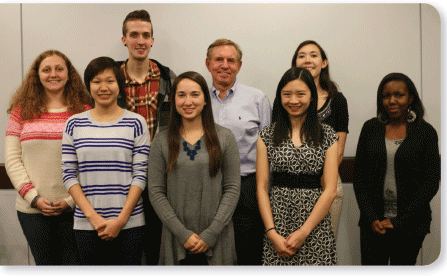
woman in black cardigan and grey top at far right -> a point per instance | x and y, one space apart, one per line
397 173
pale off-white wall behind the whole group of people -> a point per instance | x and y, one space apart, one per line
364 42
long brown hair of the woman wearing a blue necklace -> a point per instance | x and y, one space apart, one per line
175 123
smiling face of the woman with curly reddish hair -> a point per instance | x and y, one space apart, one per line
53 74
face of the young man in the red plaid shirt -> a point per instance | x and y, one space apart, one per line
138 39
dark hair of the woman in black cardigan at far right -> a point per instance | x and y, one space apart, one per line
416 104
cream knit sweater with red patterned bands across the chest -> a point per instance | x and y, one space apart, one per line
33 155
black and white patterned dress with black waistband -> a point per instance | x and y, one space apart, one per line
291 206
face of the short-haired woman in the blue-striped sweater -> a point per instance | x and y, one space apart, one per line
104 89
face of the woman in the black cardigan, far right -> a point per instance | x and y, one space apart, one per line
396 100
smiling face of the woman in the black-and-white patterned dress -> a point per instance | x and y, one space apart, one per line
295 98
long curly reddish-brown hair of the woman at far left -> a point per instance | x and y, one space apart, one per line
31 97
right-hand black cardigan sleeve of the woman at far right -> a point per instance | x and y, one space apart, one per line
430 175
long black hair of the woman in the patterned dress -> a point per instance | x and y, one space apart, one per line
311 129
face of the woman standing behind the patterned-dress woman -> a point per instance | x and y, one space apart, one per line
309 57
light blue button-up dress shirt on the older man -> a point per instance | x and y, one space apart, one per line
245 111
